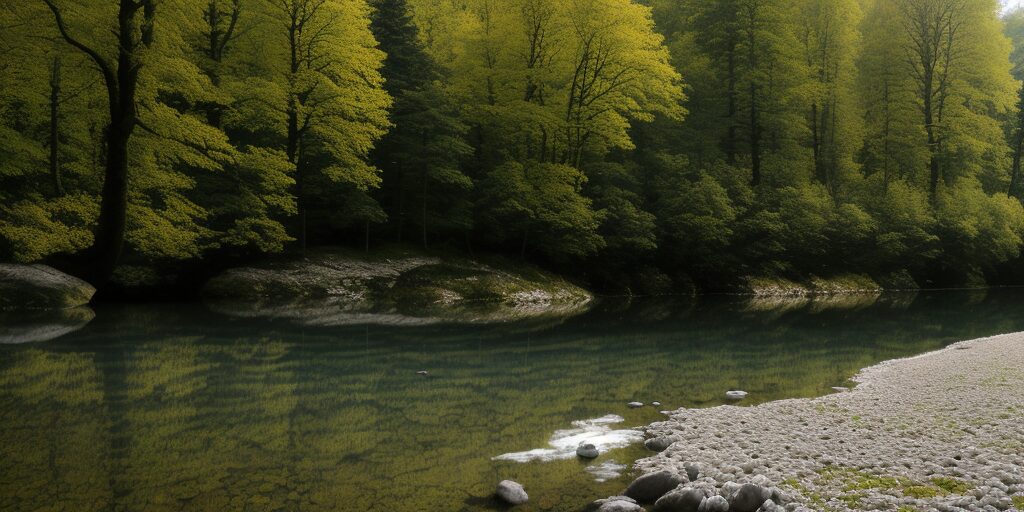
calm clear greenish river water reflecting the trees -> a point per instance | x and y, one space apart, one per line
175 408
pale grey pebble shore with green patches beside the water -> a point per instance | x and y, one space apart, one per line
940 432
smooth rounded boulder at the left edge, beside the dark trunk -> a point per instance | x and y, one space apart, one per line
40 287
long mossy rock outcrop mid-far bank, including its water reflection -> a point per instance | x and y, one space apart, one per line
334 287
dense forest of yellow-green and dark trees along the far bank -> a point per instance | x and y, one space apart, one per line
637 146
